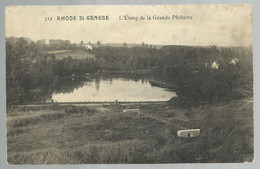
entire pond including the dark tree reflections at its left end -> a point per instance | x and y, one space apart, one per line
101 89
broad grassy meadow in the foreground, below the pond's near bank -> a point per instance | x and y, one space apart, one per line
66 134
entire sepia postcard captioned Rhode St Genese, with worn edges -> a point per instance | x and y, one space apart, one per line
140 84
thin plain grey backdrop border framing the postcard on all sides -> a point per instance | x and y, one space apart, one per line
256 51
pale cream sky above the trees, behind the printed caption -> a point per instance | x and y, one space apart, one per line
219 25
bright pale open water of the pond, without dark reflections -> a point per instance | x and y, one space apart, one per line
111 89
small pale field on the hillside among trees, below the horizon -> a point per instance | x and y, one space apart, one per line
76 54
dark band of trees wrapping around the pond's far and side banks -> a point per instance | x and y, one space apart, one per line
199 75
